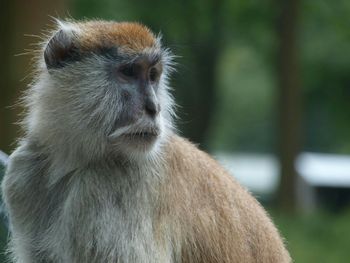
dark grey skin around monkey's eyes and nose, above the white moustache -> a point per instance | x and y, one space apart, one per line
137 78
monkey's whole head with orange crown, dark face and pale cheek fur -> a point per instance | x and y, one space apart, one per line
102 85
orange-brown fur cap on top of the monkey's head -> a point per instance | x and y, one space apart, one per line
130 36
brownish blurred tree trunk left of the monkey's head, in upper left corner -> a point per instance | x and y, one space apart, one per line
18 18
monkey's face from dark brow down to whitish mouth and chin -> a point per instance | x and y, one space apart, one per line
138 80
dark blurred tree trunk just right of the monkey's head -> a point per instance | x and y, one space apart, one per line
205 50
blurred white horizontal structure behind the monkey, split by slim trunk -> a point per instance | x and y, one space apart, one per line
260 173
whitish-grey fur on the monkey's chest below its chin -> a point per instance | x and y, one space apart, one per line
106 216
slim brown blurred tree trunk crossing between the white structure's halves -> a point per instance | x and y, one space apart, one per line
289 106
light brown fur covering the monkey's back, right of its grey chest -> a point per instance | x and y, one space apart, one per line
211 215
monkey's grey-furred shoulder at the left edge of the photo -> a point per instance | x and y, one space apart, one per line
23 189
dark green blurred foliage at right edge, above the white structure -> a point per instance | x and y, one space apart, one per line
325 41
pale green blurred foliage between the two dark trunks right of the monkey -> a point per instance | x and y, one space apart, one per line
248 100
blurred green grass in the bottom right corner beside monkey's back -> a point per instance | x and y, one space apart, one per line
318 237
